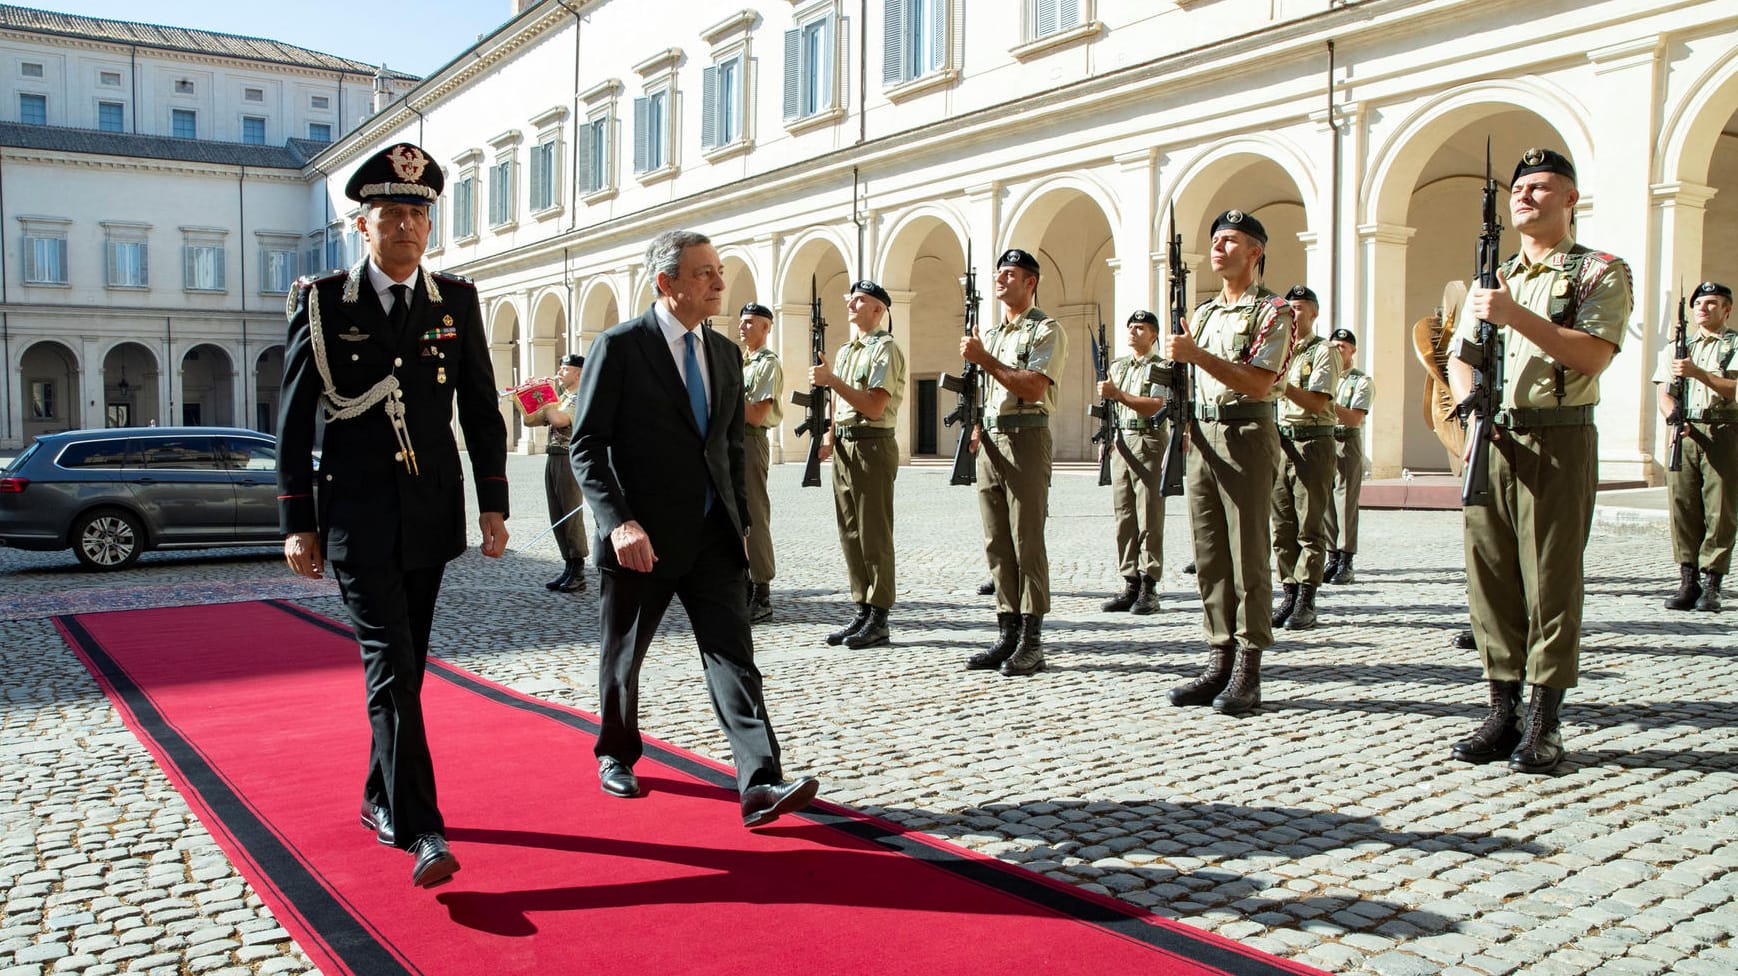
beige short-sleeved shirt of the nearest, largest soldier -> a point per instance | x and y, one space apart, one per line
1603 310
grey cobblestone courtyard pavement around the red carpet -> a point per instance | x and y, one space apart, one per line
1325 828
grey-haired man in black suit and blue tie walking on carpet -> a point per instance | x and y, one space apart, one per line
658 451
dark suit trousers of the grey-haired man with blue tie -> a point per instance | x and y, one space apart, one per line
712 593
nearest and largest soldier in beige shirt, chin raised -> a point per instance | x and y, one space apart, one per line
1562 312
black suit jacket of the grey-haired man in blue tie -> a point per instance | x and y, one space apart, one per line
637 449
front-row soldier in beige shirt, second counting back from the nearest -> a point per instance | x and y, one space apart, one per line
1238 341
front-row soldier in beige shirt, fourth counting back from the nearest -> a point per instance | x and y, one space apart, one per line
868 383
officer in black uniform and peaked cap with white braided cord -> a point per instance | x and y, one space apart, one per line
385 350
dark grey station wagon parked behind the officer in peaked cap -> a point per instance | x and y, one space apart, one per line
114 494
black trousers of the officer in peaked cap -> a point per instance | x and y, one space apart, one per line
392 612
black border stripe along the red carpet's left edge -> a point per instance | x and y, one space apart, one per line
340 932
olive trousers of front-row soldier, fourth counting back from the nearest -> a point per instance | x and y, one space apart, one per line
863 501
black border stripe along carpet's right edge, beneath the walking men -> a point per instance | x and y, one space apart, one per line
1129 923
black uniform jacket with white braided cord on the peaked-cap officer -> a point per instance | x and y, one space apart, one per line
368 508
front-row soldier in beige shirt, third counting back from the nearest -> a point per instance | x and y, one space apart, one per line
1021 357
